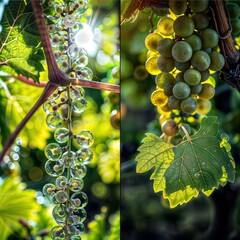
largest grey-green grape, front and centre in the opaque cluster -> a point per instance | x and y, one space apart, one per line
182 51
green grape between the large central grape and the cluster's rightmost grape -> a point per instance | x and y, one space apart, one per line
200 60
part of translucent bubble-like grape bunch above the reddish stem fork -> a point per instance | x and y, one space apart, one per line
63 30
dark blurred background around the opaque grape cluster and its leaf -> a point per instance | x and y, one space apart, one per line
145 214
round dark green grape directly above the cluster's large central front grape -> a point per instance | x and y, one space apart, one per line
183 26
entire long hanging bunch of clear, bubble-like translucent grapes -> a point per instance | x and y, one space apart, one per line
67 166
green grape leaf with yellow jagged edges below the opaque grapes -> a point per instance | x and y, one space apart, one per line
199 164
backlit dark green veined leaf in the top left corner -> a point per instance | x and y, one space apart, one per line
20 51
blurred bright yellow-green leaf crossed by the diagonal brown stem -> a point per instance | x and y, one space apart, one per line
16 101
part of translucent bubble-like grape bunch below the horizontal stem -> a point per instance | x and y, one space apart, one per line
66 193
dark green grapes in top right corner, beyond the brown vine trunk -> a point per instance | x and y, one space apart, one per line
233 8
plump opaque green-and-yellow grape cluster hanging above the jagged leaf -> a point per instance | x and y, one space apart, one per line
183 52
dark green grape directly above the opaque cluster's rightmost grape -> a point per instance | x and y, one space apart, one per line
209 38
